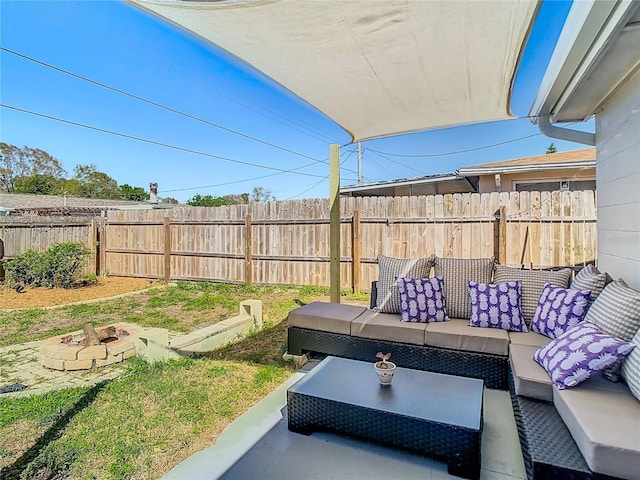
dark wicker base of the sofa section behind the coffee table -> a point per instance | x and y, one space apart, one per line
490 368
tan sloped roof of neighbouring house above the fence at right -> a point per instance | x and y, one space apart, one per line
585 158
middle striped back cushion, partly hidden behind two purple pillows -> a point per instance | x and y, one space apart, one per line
455 273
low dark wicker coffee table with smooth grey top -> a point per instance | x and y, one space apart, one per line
429 413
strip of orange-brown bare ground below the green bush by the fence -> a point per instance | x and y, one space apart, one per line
48 297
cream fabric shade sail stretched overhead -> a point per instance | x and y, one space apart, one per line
376 68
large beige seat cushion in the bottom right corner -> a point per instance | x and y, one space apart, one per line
604 420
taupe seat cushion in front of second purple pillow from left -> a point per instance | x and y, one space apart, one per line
456 334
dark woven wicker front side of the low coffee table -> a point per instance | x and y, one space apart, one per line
460 447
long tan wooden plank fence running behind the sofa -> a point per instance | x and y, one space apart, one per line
287 242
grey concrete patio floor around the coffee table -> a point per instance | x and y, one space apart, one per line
259 445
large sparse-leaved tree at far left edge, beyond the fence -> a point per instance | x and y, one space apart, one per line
26 162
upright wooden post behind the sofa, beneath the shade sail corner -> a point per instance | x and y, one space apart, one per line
334 222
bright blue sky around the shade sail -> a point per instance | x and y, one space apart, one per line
117 45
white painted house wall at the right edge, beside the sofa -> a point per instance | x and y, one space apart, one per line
618 181
